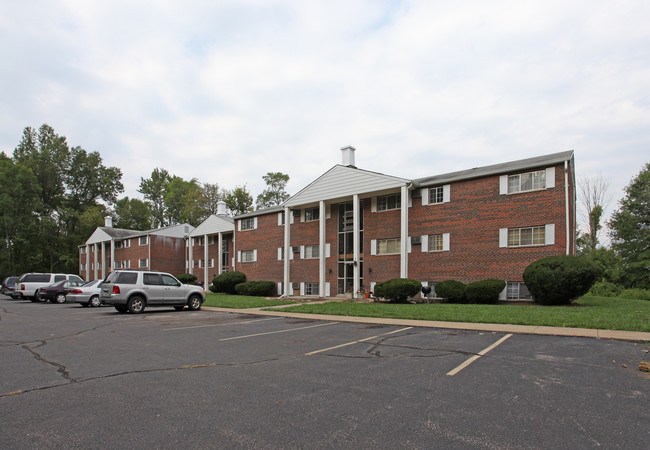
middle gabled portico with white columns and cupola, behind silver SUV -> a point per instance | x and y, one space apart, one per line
211 246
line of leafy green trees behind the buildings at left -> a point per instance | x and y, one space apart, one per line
54 196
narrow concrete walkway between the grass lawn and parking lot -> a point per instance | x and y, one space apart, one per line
499 328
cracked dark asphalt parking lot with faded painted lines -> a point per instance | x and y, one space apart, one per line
78 377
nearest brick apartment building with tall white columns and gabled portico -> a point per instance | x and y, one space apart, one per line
352 228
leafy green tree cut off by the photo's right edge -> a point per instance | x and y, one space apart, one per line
630 231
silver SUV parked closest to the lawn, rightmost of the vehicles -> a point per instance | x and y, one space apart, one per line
132 291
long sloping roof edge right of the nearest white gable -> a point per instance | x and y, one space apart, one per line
497 169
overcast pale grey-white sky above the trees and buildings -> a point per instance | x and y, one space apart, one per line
226 91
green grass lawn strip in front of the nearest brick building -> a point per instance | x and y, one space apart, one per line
589 312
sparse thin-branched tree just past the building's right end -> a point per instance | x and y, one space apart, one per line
594 198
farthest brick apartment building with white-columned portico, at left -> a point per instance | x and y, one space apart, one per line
108 248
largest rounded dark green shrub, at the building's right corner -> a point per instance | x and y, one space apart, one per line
558 280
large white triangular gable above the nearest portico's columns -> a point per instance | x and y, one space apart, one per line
342 182
